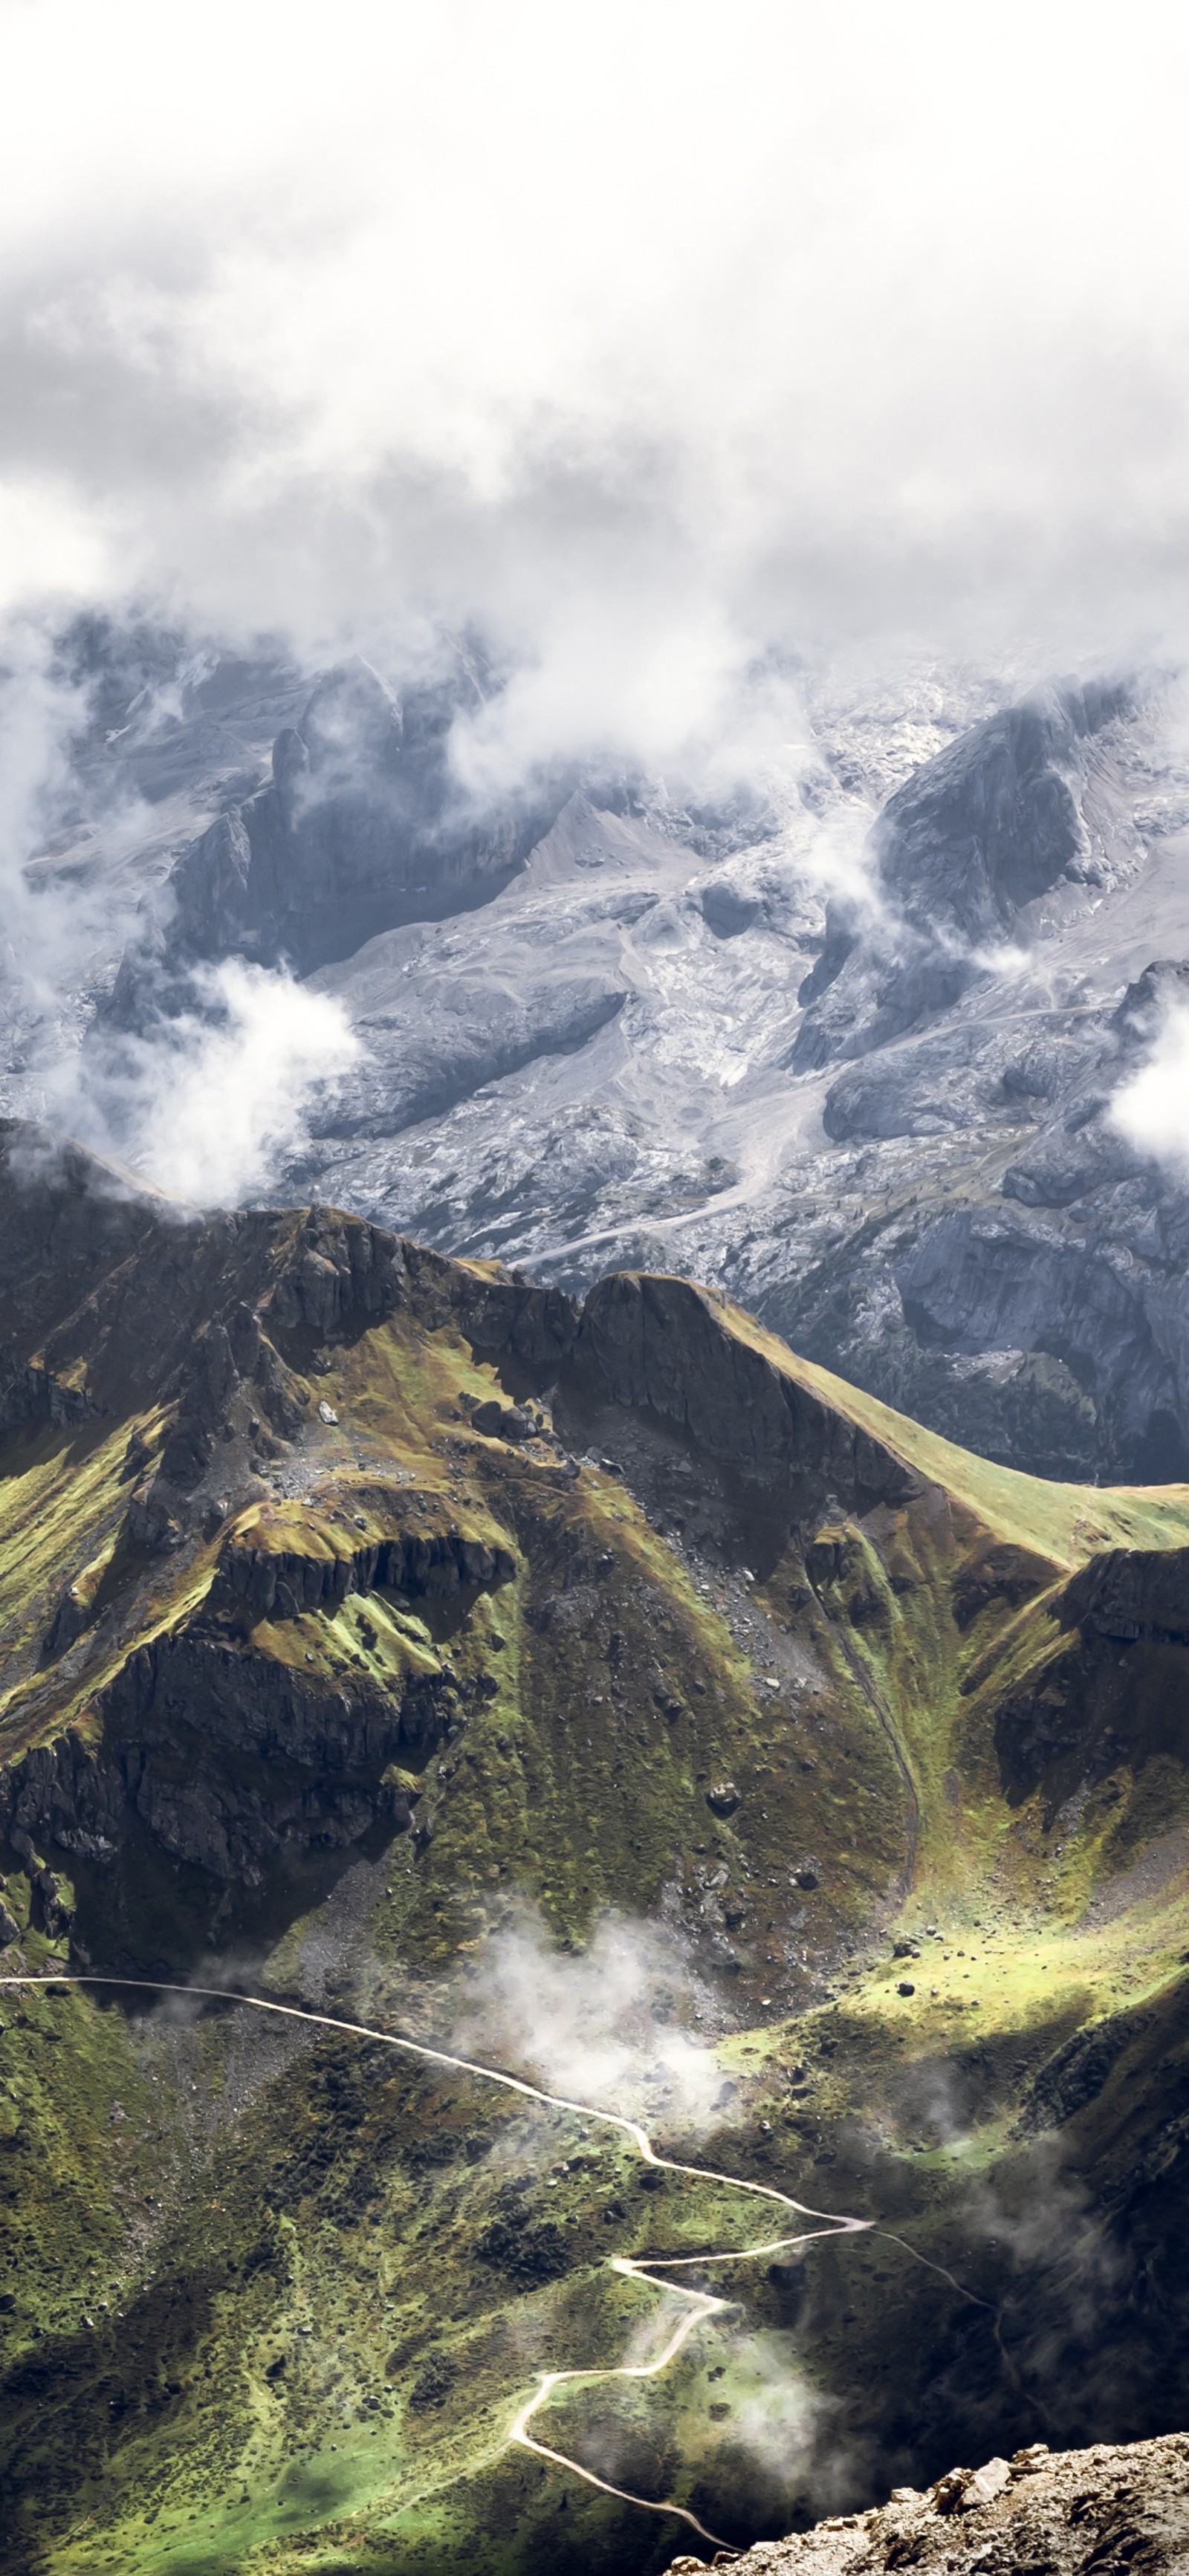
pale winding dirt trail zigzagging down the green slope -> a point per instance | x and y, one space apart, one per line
698 2304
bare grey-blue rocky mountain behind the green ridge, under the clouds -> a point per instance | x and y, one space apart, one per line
842 1042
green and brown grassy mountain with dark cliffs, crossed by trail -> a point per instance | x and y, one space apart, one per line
450 1668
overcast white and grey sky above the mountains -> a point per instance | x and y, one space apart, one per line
649 336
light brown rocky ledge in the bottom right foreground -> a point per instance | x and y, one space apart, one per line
1105 2510
